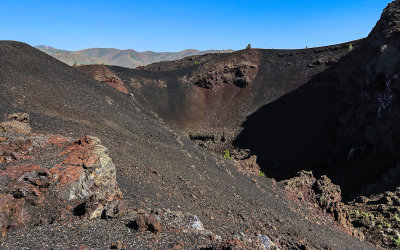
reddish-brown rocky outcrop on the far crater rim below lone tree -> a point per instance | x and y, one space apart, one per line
238 71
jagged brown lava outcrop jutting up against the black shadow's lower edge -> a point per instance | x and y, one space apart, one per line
323 192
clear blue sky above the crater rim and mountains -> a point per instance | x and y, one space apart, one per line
174 25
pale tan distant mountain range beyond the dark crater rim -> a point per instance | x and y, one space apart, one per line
125 58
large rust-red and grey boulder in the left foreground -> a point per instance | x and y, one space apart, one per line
51 178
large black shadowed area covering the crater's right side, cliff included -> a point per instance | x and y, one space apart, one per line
341 123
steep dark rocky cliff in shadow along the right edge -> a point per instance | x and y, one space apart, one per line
368 113
